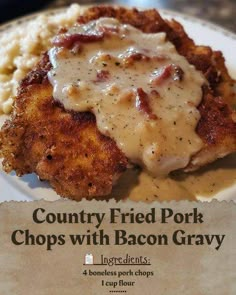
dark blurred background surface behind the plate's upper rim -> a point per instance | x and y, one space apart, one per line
217 11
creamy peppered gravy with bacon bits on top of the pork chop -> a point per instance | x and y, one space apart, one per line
143 93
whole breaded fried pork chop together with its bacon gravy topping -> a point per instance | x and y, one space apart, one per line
120 89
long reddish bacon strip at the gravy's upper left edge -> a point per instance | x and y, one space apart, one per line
68 40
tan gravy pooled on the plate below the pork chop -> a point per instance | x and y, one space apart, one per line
207 182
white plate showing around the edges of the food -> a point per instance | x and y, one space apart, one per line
30 188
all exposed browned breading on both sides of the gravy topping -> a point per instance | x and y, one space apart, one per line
67 149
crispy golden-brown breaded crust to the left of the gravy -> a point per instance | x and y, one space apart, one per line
64 148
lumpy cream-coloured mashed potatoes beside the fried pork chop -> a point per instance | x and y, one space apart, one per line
21 47
